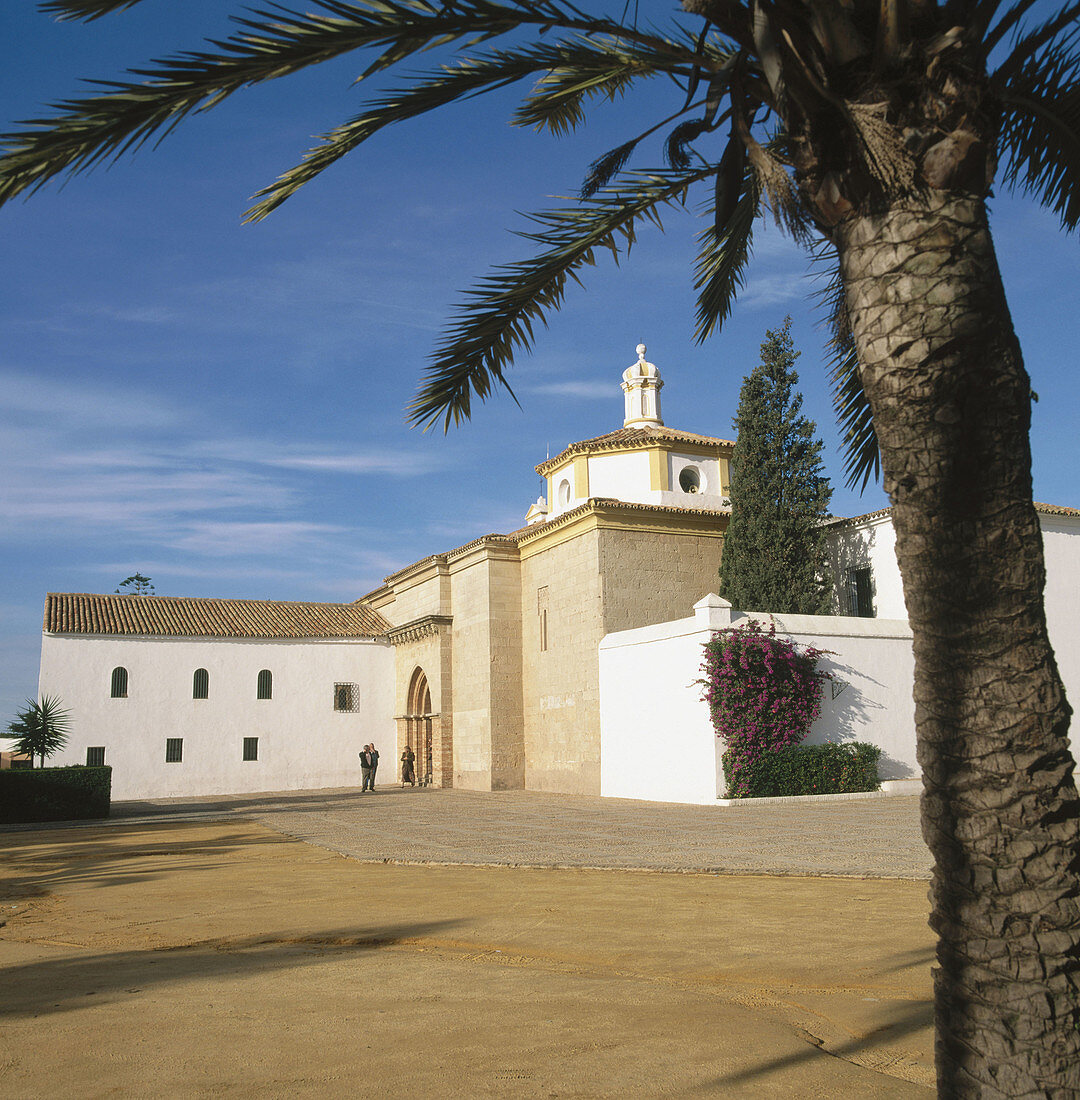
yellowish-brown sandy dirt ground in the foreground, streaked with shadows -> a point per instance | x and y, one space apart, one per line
204 960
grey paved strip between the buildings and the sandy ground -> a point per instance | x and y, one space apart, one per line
875 838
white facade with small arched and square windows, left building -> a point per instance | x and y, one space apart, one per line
303 742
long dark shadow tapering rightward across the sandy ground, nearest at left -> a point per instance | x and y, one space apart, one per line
52 986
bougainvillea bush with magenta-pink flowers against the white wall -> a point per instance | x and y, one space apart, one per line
764 694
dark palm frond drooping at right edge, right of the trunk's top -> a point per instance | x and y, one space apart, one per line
1040 141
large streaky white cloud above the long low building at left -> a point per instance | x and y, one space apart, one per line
157 482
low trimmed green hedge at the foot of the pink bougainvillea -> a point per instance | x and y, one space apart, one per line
811 769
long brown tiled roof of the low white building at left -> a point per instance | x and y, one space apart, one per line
197 618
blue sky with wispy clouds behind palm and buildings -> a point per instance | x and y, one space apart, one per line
222 408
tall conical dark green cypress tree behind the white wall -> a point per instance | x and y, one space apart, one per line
775 549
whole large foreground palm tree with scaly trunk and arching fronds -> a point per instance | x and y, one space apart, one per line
873 131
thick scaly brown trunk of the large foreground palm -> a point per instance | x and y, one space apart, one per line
952 404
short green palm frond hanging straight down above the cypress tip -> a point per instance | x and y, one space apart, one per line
725 247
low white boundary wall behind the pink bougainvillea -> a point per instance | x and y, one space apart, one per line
657 740
